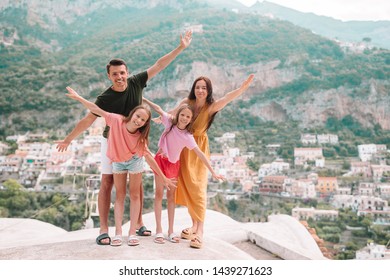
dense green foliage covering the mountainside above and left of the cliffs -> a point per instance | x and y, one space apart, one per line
42 62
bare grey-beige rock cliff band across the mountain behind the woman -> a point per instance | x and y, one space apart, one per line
367 103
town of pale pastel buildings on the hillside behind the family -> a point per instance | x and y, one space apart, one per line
36 161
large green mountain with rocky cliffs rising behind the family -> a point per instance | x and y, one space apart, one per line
300 76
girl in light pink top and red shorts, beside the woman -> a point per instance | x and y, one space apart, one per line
176 136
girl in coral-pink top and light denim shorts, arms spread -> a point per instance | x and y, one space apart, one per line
127 146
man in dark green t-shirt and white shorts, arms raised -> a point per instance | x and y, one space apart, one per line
121 97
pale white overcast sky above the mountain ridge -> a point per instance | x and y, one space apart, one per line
339 9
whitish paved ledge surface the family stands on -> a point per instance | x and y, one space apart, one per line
282 237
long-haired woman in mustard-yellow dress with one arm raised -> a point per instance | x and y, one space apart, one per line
192 182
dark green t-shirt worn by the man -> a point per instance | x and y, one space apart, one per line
123 102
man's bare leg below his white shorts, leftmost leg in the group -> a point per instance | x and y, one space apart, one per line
104 201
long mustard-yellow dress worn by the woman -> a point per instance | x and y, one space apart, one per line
192 182
